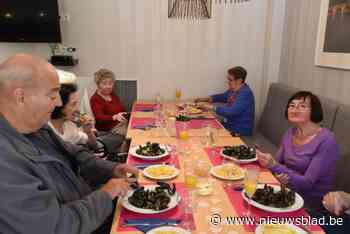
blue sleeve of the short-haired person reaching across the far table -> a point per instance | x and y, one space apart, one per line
244 101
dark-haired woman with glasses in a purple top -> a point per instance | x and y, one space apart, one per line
308 153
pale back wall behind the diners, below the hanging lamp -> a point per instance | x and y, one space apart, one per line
136 40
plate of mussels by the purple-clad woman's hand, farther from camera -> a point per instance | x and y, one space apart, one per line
239 154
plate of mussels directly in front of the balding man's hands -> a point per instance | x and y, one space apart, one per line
151 198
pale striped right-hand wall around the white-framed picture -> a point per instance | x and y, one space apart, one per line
297 65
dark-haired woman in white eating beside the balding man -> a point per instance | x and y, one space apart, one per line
63 117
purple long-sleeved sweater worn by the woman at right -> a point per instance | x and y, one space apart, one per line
311 167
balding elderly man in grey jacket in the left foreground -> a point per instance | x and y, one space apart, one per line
45 185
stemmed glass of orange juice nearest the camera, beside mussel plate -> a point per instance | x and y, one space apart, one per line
250 184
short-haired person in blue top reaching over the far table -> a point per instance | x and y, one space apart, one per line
239 105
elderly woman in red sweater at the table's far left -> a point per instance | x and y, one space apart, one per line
108 110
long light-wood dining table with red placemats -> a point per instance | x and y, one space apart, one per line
225 201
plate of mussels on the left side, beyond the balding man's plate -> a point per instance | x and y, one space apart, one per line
149 151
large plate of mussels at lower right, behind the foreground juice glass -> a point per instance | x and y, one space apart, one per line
275 198
